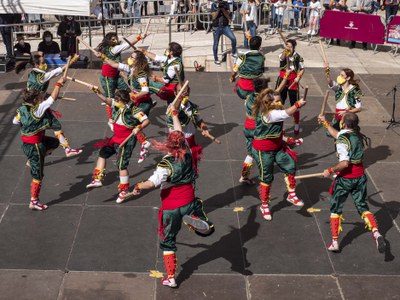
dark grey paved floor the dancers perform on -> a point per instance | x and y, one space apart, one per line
87 247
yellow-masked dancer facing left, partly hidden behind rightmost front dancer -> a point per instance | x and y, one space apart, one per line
347 94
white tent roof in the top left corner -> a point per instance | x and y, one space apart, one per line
49 7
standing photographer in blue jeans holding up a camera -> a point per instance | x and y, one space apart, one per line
221 17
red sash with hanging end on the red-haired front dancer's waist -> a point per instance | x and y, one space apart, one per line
172 198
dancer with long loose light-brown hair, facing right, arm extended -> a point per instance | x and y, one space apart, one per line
268 147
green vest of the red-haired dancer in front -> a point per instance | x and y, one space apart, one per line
182 172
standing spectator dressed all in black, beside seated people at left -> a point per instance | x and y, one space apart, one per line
68 30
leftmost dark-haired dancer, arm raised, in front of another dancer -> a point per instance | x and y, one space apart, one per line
34 117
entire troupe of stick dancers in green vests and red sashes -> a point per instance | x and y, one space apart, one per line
127 89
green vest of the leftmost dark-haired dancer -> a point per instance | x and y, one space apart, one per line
30 124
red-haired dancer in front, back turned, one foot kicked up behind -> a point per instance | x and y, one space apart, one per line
176 175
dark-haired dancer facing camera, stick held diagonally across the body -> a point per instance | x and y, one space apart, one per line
127 119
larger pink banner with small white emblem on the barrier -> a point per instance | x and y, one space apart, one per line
352 27
